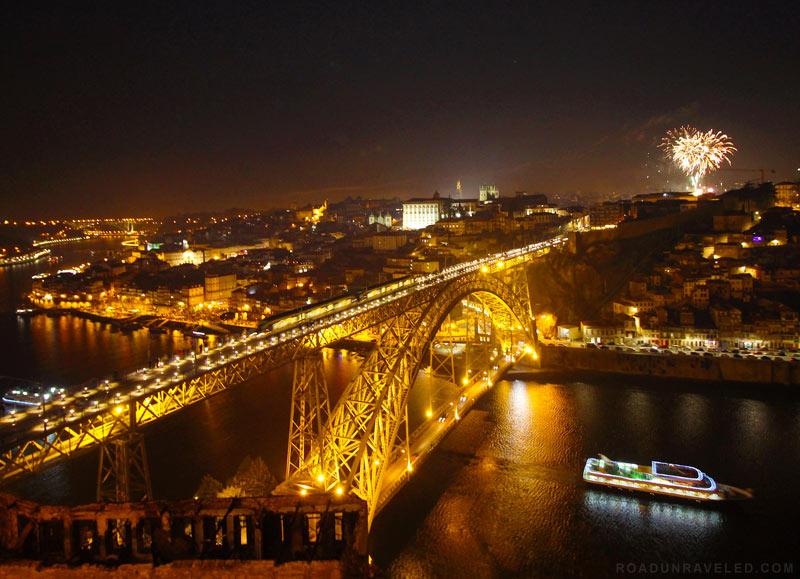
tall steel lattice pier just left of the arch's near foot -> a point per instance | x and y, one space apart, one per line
310 408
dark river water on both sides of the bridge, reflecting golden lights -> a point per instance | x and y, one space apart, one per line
502 495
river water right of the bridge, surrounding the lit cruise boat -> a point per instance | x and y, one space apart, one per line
503 494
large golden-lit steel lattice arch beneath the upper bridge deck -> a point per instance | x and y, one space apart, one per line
356 447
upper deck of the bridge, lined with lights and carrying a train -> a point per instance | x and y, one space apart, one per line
67 422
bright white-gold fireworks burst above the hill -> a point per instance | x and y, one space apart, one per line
697 153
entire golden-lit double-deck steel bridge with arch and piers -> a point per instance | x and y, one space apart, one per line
362 443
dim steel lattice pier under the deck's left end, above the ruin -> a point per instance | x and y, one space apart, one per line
123 474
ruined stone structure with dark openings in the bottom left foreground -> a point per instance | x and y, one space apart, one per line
280 529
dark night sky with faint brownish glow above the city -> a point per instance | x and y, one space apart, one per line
132 108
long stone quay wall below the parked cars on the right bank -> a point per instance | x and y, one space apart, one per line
709 369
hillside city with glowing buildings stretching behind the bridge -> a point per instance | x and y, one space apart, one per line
728 282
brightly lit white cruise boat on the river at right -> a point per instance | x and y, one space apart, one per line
661 478
